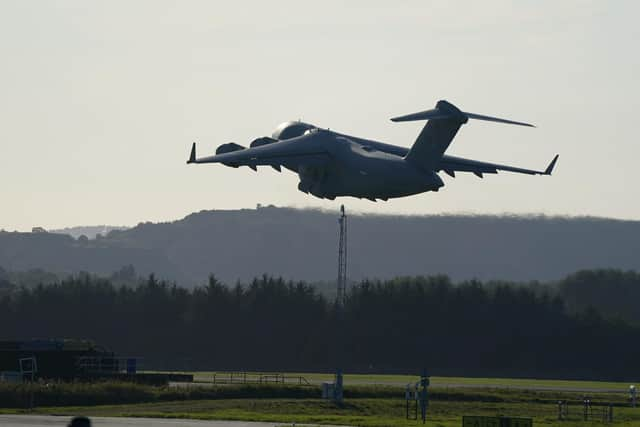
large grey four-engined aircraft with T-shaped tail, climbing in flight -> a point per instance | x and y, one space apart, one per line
331 164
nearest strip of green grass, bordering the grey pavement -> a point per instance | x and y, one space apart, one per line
357 412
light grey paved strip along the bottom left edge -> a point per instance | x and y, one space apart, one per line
49 420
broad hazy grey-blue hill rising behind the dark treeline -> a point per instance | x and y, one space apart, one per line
302 244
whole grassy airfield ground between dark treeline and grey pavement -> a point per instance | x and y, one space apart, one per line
379 401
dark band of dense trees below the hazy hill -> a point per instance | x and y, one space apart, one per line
401 325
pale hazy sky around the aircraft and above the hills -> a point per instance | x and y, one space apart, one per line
100 101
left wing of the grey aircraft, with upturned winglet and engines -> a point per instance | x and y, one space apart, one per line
290 153
